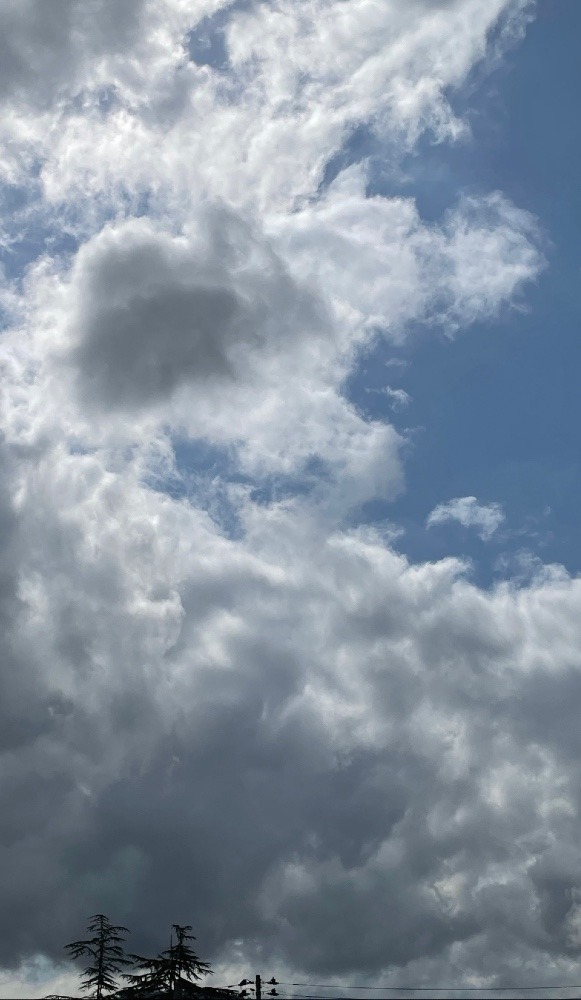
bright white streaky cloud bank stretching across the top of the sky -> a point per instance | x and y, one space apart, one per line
300 79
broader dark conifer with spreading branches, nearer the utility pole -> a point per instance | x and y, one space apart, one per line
177 965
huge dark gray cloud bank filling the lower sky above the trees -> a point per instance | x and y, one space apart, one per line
320 751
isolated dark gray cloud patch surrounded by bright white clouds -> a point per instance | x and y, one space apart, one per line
154 312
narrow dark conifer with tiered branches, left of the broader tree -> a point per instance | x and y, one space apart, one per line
106 951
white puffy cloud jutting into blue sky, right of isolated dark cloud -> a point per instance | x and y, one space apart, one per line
383 267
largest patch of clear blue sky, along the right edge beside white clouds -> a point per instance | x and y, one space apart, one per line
497 411
